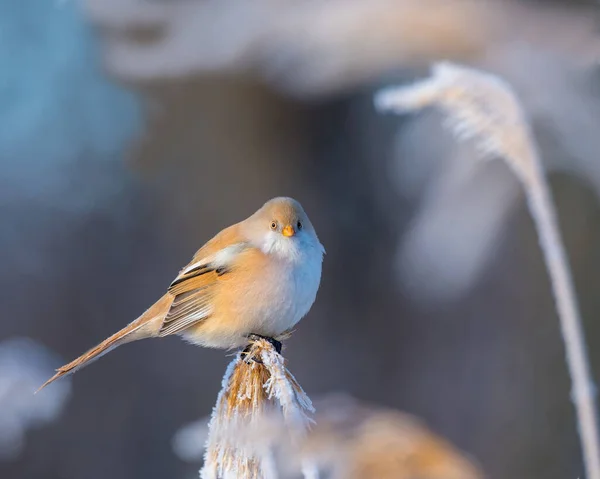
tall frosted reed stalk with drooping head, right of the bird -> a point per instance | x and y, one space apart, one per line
483 107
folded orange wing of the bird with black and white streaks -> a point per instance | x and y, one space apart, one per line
194 288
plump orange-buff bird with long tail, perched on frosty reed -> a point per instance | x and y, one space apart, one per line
256 278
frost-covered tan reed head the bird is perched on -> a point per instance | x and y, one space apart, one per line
253 388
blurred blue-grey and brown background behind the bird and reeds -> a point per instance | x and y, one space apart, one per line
131 131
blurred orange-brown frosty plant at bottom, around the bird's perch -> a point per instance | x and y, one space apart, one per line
350 440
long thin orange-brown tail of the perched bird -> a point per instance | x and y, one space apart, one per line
146 326
